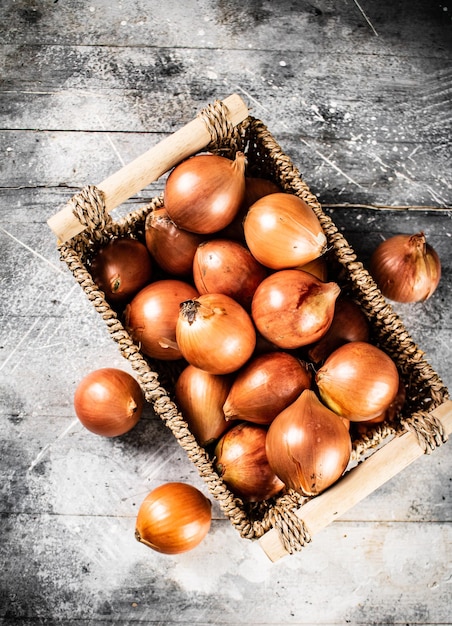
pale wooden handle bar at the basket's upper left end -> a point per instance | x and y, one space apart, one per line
148 167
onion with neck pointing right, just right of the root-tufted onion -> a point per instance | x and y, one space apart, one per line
292 308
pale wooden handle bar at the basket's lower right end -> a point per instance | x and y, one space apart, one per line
357 484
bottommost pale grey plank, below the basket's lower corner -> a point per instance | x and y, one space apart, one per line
95 571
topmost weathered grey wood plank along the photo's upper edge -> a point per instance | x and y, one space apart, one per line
285 26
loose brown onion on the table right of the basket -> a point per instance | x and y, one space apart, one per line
406 268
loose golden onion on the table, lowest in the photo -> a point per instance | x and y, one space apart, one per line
173 518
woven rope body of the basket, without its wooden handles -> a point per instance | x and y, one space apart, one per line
424 389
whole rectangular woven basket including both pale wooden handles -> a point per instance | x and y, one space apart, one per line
286 523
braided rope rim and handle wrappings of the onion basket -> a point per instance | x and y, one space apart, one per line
269 158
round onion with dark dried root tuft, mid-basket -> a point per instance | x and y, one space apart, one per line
215 333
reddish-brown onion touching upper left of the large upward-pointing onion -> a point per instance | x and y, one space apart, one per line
266 386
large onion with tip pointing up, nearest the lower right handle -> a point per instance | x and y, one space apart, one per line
308 446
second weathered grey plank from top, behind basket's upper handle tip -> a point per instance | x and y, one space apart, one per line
120 88
